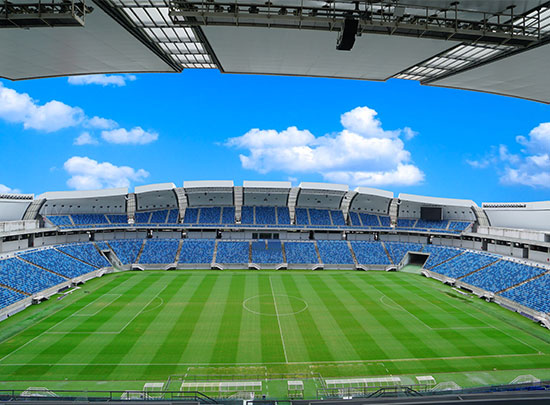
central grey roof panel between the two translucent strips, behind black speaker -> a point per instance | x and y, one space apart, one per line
313 53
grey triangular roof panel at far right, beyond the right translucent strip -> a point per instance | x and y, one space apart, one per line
524 75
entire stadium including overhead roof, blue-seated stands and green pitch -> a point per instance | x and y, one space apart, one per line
220 292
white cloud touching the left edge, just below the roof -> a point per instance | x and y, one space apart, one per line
50 117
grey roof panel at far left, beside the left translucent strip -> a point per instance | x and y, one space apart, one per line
102 46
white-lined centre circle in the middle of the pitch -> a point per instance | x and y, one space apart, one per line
275 305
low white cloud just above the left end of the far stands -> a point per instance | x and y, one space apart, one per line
87 174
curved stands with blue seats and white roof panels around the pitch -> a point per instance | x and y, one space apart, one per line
499 251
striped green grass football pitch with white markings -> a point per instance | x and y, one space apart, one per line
124 329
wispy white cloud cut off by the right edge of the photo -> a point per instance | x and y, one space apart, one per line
530 167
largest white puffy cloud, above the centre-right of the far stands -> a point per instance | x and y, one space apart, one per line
363 153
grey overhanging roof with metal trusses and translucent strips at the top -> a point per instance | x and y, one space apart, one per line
499 47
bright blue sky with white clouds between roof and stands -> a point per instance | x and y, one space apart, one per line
201 125
